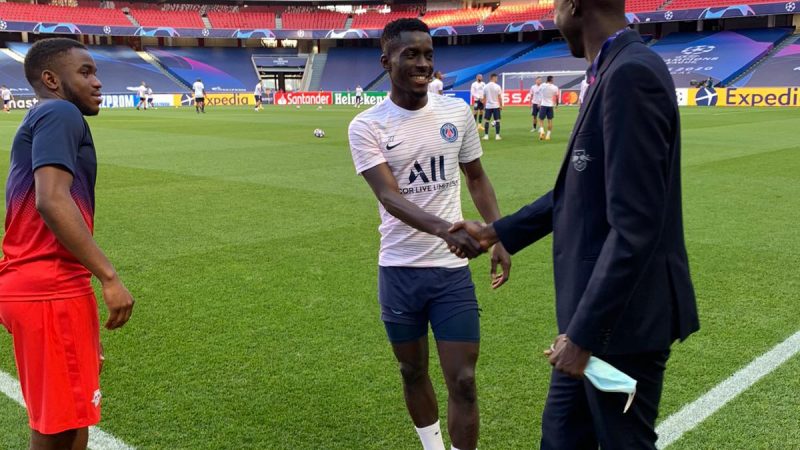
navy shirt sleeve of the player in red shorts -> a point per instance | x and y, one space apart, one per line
57 136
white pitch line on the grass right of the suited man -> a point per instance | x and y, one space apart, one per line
691 415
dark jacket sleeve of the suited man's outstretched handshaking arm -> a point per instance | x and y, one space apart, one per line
527 225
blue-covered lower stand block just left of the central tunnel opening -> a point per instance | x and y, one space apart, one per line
221 69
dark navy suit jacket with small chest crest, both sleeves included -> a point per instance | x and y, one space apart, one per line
621 270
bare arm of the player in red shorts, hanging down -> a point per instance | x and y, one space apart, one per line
64 219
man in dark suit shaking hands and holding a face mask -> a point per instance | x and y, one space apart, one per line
623 291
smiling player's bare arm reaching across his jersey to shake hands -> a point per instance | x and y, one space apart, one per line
386 190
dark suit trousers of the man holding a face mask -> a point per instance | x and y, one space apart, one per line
578 416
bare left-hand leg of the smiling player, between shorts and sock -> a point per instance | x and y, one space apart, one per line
417 387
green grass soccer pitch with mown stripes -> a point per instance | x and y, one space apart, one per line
251 249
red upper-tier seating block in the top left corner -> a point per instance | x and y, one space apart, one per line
25 12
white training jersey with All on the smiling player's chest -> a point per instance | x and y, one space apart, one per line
423 149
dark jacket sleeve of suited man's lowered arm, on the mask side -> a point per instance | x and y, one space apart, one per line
638 129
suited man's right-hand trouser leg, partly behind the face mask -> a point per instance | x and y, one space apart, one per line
636 428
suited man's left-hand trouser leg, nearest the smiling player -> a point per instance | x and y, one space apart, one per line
566 421
